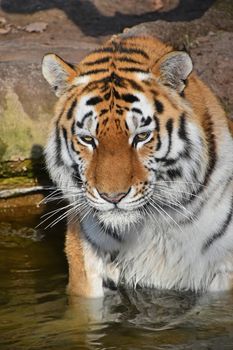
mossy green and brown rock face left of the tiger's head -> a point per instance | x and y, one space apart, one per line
27 103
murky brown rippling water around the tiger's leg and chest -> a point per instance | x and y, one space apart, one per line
35 312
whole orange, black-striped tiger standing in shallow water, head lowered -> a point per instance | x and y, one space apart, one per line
143 151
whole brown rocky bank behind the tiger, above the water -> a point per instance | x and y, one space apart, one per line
72 28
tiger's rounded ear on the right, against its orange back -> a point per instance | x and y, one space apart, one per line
173 69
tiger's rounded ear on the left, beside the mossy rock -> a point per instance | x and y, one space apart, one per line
58 73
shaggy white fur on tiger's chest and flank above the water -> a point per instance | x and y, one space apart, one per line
165 256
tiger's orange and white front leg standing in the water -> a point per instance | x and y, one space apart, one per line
84 266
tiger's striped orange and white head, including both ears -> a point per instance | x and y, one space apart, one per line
124 139
